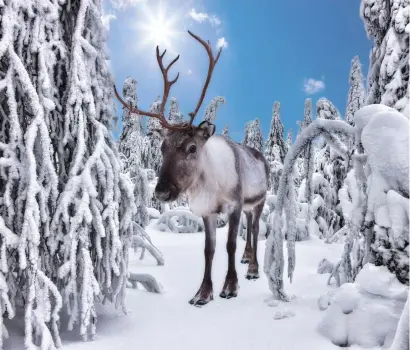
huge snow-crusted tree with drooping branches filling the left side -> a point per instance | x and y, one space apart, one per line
65 209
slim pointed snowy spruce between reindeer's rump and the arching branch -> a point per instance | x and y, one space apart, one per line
275 136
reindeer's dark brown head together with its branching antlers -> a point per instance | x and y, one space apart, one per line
182 144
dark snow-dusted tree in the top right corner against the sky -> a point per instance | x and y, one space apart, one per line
387 23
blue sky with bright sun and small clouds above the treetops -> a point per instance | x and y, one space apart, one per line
281 51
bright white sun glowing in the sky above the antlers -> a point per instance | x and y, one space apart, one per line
158 27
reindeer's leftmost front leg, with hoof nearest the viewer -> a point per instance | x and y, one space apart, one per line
205 292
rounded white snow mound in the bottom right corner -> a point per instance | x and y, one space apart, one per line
364 313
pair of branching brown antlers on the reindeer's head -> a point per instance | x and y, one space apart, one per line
168 84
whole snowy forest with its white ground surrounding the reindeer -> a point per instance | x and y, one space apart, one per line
91 258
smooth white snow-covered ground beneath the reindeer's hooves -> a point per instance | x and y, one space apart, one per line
250 321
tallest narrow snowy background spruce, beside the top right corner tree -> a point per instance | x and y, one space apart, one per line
356 96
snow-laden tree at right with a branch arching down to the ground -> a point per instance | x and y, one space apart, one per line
376 173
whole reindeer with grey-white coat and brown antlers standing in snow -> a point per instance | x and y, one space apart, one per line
217 175
